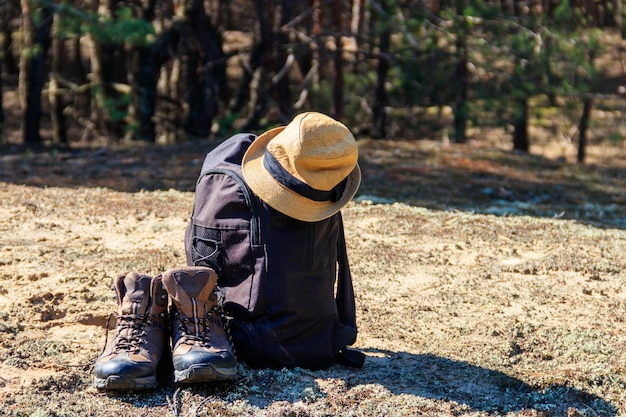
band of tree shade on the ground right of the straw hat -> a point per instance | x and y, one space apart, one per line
488 180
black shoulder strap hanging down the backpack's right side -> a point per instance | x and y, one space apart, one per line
346 307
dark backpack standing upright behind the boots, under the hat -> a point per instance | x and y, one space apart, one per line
286 284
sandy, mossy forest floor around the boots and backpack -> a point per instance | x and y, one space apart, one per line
488 283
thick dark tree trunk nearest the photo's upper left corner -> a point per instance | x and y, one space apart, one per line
34 71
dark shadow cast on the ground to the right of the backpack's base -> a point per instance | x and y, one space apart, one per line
478 388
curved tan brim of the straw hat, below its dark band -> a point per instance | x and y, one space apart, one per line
282 198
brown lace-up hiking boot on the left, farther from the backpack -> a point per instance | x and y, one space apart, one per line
129 361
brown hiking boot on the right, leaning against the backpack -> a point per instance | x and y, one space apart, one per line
201 349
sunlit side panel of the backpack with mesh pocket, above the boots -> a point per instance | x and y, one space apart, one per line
224 234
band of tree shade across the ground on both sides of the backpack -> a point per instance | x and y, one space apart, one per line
422 173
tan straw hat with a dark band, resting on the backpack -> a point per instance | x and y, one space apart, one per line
307 170
